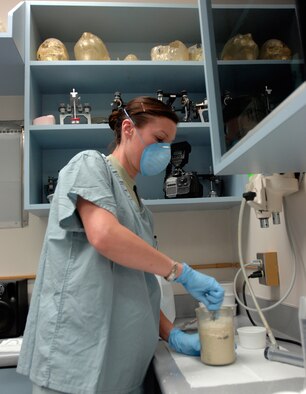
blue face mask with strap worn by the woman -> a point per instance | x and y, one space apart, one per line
155 157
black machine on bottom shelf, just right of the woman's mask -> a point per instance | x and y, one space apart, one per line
179 183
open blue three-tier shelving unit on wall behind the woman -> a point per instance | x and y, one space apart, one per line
125 28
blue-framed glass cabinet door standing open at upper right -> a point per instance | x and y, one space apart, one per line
276 143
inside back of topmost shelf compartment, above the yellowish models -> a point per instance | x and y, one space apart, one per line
117 22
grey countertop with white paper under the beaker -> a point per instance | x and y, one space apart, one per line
251 373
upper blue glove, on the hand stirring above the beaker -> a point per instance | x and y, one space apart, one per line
202 287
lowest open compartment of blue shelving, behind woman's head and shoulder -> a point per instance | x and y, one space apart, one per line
50 147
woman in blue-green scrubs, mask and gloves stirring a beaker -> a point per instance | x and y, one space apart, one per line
94 318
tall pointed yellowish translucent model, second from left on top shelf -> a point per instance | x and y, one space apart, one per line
90 47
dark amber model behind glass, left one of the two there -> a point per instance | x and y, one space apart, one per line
240 47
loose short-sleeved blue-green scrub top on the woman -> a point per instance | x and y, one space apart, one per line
93 324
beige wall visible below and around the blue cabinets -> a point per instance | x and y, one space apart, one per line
196 237
